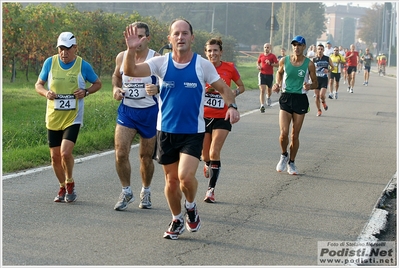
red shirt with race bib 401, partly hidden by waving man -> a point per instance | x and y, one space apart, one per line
214 103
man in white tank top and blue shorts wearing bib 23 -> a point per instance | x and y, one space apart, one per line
137 114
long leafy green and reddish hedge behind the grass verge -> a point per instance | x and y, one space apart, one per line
30 36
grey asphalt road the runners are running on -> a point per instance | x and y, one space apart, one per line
261 218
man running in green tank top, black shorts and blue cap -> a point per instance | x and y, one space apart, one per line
294 74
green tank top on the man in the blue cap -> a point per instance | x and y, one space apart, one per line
295 76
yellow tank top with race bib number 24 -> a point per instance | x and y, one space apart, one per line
65 110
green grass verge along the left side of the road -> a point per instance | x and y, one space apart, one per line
25 135
